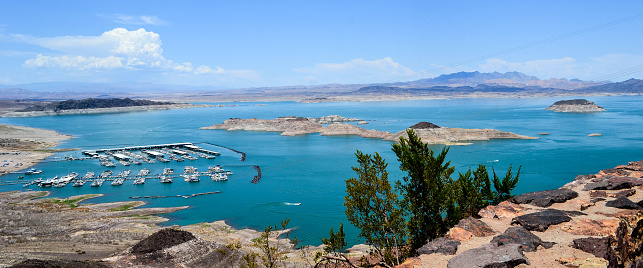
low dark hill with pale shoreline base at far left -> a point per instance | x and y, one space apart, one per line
96 106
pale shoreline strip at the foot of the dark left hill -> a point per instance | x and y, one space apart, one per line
107 110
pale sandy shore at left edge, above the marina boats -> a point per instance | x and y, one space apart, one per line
22 147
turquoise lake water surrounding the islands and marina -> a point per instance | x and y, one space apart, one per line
311 169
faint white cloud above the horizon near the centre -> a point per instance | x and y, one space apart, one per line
356 71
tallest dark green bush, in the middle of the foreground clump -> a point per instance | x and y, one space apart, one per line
426 189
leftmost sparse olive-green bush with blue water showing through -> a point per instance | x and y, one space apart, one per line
374 207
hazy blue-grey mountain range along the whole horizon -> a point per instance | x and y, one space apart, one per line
448 84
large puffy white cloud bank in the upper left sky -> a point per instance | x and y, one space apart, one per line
116 49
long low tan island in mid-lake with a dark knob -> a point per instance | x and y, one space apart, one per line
430 133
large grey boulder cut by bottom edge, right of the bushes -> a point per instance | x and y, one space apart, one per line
489 256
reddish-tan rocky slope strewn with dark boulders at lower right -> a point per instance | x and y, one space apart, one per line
594 221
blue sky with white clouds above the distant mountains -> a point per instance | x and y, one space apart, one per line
235 44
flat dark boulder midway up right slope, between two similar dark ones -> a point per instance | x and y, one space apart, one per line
540 221
